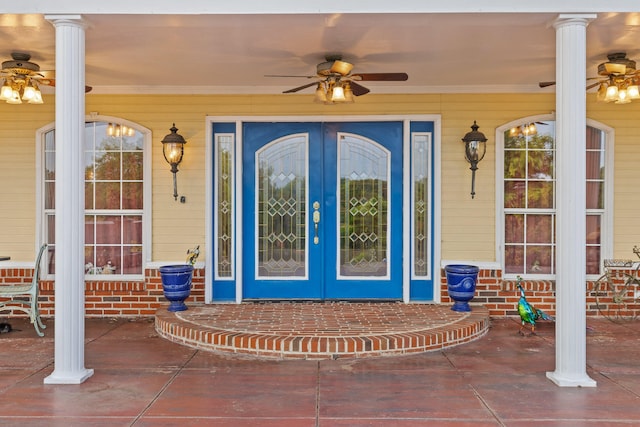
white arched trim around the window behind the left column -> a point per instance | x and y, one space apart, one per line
146 188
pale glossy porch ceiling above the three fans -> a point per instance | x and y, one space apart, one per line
233 53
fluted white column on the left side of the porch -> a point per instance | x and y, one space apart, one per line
69 283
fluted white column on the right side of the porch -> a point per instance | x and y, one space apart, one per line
571 122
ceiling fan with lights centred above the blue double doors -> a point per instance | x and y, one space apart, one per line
336 84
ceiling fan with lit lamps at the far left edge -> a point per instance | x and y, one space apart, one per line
21 80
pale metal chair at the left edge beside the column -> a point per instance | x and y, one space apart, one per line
17 294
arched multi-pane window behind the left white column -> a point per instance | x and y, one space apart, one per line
116 198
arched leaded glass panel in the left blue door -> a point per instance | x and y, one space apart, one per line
281 208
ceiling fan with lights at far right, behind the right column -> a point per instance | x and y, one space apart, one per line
617 80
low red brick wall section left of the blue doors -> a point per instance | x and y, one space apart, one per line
109 298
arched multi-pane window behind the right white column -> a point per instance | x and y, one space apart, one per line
527 165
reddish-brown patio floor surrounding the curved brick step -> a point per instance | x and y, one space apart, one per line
143 380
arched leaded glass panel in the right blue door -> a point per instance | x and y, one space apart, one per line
364 206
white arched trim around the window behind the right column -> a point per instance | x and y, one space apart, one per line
606 237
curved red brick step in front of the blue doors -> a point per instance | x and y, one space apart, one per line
321 330
